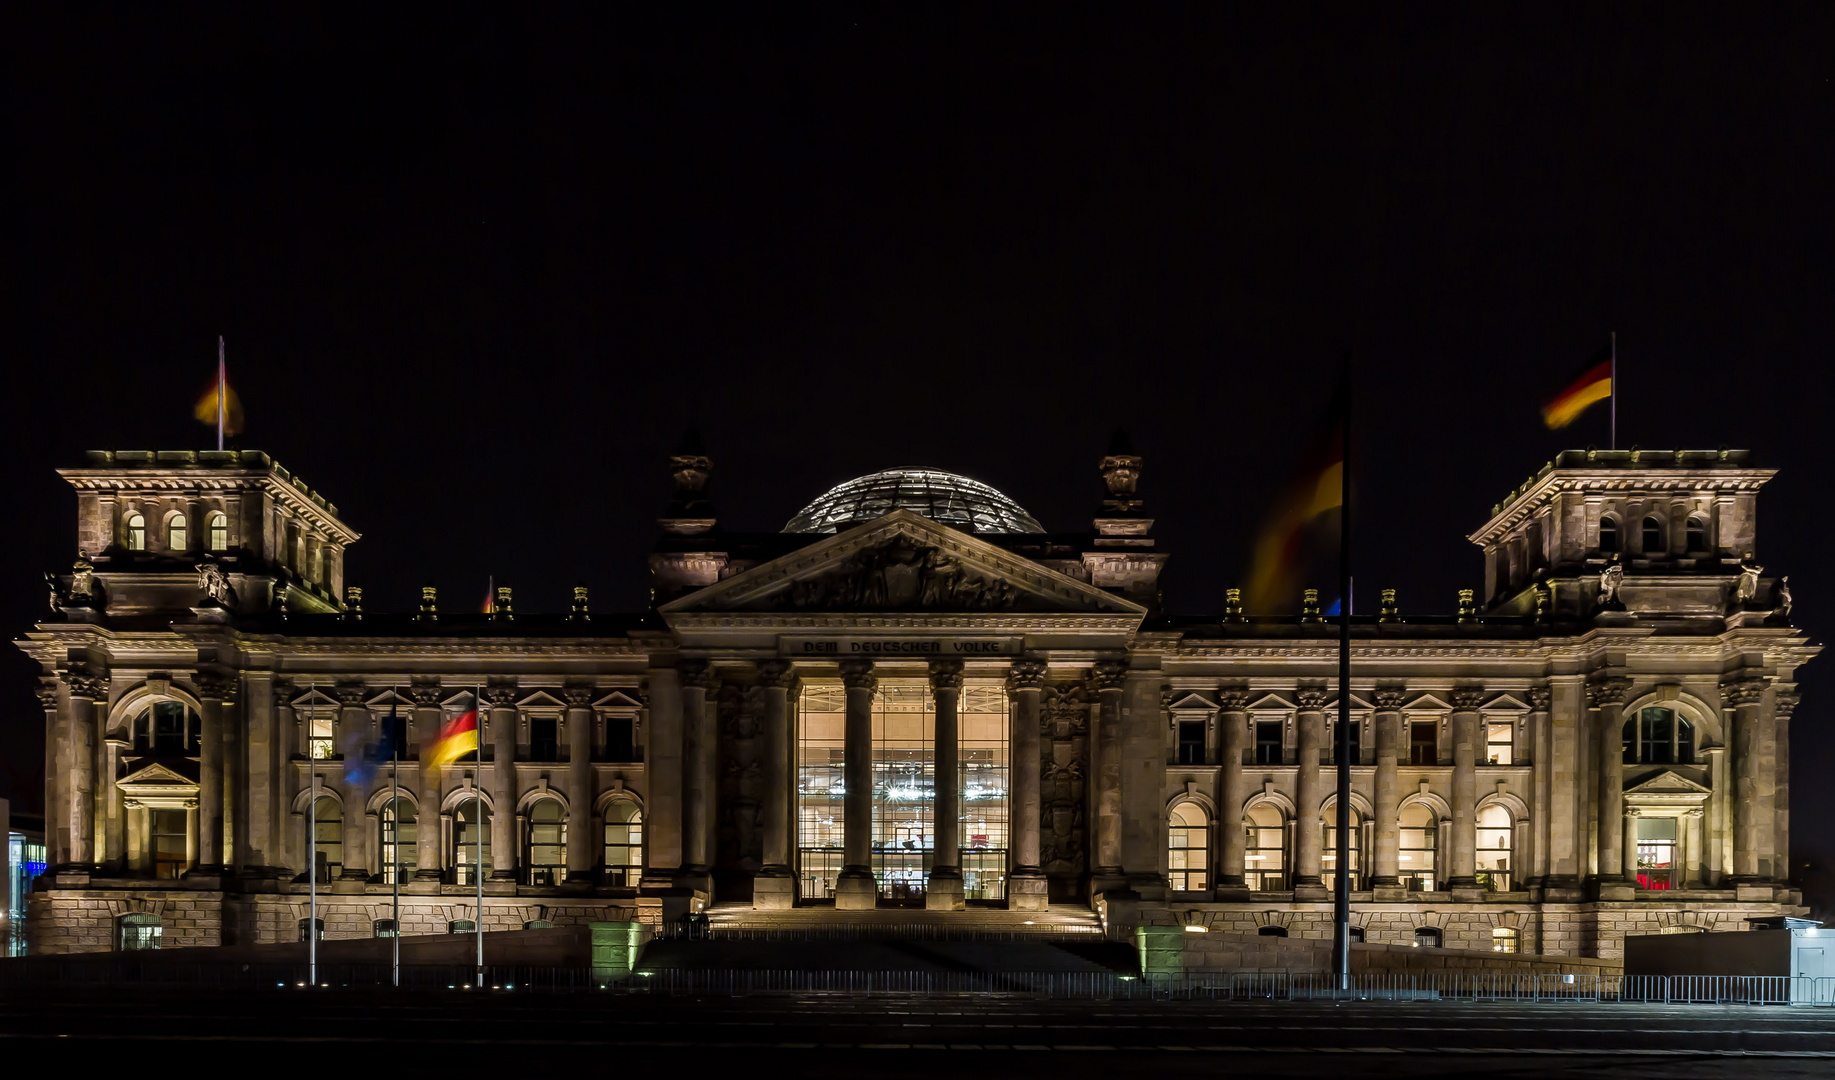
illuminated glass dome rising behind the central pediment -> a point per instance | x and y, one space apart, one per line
944 498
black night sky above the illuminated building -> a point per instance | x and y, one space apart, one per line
478 276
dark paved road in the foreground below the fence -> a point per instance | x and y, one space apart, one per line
939 1039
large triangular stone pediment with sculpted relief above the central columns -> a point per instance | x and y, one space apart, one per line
907 564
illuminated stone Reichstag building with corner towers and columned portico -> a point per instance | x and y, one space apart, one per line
915 696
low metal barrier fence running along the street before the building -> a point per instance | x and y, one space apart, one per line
131 971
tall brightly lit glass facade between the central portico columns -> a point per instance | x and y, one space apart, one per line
904 766
